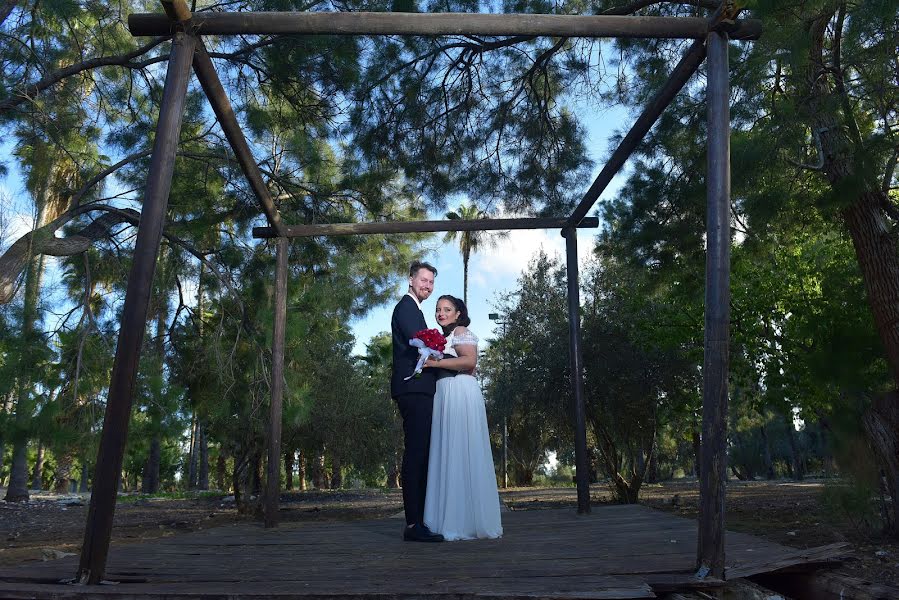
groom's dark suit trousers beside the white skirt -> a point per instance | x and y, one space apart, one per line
416 410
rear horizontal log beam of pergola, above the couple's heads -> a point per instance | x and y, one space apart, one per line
330 229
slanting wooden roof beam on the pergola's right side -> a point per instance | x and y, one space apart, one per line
688 65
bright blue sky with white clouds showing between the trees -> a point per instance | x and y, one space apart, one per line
493 271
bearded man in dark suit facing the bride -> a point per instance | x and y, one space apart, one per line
415 399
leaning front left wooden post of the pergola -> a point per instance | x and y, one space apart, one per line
134 314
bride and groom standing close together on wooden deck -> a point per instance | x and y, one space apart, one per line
449 486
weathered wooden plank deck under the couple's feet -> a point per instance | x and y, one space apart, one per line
615 552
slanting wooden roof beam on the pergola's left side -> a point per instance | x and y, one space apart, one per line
221 106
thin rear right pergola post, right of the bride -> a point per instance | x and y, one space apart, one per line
581 460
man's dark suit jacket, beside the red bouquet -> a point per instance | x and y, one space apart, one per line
407 321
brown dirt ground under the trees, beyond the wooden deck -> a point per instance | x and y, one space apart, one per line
789 513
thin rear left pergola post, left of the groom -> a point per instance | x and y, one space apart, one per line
273 481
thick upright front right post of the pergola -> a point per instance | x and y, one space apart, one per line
713 465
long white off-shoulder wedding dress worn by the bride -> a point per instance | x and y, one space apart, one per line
462 502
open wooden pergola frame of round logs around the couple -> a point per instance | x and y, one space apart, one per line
187 30
